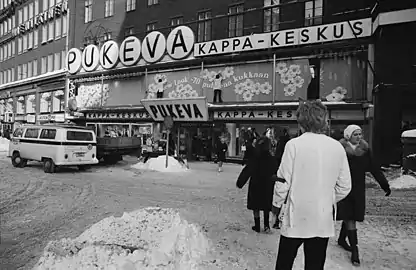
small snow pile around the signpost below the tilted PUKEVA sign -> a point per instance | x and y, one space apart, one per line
159 163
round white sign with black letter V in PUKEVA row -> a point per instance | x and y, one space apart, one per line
153 47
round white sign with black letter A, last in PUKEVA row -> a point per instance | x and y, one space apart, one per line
180 42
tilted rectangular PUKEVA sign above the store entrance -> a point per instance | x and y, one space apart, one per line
192 109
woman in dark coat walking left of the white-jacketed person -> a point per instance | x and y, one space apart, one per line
260 171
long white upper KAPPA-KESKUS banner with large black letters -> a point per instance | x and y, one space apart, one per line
292 37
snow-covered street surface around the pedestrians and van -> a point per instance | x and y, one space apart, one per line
36 208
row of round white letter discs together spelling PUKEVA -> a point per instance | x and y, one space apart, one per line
178 45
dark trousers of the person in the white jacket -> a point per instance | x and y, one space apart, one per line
314 250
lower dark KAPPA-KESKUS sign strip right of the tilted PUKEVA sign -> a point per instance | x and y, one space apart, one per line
255 115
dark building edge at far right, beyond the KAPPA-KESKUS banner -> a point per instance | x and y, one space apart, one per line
394 92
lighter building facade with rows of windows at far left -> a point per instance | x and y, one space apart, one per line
33 45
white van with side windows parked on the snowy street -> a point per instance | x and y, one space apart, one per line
54 145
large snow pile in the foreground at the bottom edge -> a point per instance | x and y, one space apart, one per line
151 238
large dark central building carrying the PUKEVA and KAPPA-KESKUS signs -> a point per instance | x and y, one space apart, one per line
250 61
